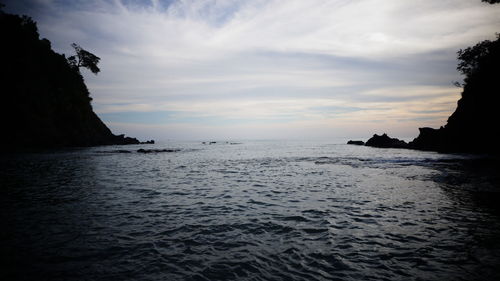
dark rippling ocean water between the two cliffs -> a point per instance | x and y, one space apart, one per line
261 210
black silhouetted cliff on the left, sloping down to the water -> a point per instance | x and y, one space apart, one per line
45 102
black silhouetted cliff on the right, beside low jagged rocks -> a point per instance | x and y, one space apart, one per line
474 126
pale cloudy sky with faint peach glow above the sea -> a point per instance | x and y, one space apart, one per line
274 69
